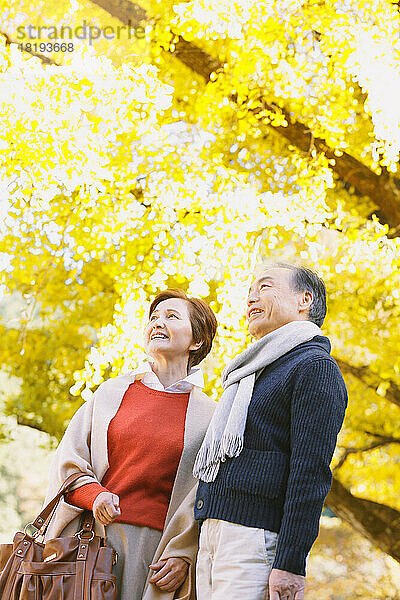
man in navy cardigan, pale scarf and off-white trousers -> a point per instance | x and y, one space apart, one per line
264 463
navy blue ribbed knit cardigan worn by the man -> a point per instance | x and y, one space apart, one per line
280 479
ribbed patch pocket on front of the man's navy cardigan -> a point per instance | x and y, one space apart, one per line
258 472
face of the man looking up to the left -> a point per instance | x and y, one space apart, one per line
272 303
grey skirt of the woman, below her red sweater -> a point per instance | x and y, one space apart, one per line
135 547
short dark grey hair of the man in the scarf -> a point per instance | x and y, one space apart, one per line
304 279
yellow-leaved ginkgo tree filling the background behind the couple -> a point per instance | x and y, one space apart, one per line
234 133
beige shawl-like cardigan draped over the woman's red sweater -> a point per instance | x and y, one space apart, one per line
84 448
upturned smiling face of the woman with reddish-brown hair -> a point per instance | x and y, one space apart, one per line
168 333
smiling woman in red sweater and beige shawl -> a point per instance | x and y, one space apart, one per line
135 441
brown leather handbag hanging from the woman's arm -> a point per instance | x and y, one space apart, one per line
66 568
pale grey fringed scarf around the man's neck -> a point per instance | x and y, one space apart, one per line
224 437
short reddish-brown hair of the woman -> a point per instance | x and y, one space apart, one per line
202 318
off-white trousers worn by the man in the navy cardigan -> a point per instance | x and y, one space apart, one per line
234 561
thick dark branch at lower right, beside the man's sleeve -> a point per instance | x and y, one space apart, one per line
377 522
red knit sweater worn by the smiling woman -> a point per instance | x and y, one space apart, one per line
145 443
